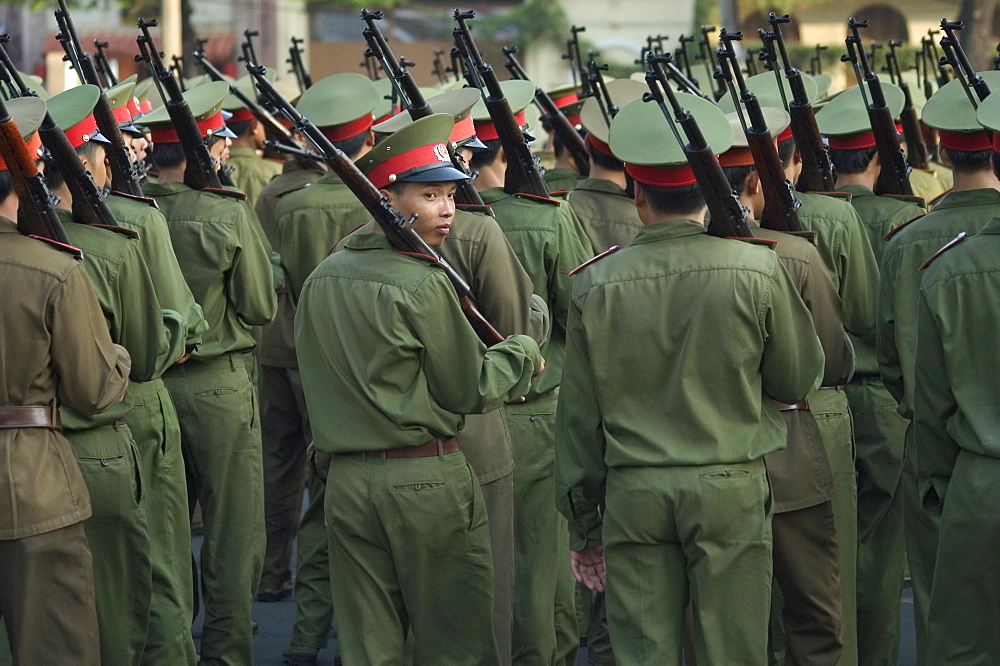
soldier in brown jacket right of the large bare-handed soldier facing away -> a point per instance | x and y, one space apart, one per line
805 553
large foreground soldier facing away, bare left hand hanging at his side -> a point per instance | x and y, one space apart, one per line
689 436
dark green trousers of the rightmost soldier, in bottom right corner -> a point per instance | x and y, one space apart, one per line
965 596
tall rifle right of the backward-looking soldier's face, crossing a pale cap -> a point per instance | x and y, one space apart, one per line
522 176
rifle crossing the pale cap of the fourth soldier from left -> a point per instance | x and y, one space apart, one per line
199 172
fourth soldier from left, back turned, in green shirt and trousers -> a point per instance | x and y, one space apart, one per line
225 261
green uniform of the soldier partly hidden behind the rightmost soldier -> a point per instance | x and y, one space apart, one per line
908 248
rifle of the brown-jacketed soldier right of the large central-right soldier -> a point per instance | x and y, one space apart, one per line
780 203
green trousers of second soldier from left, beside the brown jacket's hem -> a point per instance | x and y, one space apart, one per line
119 539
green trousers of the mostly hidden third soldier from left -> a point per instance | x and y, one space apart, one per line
157 435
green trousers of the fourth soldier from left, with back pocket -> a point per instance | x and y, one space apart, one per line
220 437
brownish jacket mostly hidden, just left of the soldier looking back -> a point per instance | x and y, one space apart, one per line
277 344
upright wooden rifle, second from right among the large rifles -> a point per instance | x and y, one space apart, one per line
894 177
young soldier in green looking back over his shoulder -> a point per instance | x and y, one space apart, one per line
385 388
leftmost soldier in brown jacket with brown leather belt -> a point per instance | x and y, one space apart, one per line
57 351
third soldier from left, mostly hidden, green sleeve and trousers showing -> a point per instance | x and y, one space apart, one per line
154 425
